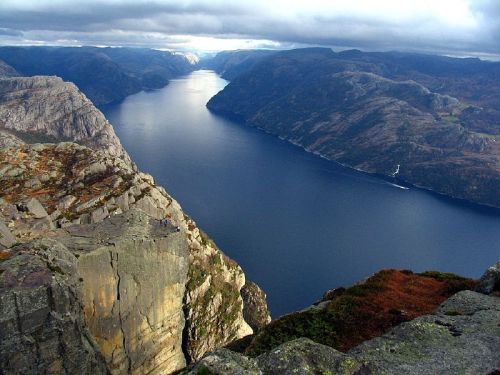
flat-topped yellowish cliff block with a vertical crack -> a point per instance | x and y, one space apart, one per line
133 276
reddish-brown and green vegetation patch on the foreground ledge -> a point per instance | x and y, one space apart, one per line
347 317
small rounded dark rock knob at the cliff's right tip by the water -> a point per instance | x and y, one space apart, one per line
255 309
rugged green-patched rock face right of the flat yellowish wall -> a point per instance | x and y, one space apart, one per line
214 307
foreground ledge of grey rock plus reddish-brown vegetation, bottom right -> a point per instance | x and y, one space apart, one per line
461 336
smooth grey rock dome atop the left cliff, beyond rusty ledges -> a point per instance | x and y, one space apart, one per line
47 109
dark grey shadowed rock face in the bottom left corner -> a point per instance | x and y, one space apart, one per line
42 326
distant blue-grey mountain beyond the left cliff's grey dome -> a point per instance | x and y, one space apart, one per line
105 75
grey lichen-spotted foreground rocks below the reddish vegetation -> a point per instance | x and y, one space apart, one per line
461 336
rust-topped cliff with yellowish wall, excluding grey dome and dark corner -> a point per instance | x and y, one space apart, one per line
153 296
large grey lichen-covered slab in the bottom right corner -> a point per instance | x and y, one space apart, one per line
462 337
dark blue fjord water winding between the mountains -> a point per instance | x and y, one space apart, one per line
297 224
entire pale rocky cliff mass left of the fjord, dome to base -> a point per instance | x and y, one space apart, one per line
91 281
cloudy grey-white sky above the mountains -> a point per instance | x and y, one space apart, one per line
452 27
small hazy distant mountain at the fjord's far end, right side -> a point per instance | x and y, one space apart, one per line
230 64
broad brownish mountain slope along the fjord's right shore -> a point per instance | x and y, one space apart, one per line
374 112
